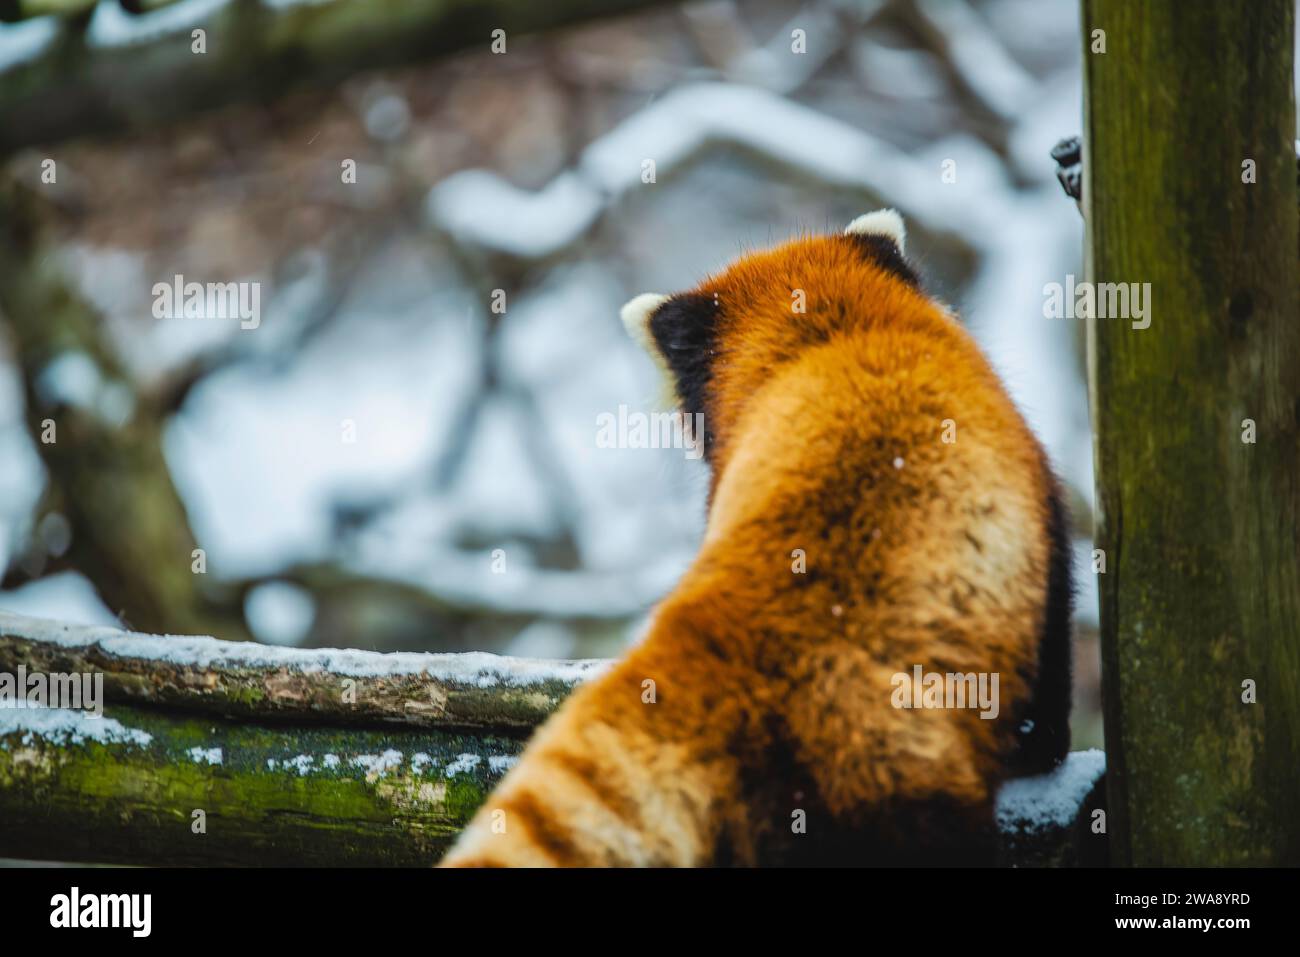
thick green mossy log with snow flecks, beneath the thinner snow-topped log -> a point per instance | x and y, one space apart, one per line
289 796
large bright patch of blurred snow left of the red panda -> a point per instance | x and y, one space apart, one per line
262 456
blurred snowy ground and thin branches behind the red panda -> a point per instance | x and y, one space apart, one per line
475 432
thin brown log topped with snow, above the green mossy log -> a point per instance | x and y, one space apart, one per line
240 679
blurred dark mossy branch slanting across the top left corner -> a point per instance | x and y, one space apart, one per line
254 54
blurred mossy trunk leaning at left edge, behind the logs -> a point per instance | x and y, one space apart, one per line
129 531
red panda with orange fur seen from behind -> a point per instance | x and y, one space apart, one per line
877 506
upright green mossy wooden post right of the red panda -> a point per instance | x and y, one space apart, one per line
1191 187
